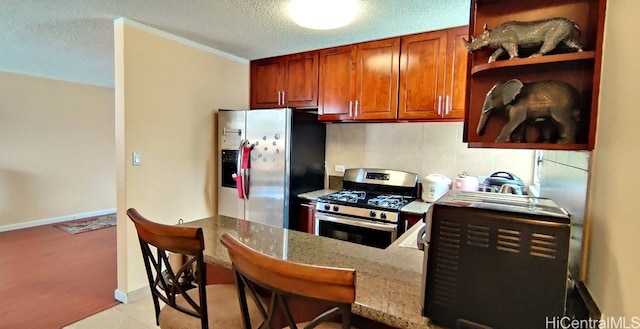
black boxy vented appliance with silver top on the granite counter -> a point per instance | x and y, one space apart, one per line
495 261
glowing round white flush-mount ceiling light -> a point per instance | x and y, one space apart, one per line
323 14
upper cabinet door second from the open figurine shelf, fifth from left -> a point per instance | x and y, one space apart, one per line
422 74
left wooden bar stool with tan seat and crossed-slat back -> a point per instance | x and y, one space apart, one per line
206 306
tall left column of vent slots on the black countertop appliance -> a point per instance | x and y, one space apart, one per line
447 264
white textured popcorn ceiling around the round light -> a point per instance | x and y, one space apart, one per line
73 39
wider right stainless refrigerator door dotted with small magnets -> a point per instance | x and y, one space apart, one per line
267 132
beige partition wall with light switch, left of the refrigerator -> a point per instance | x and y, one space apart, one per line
167 91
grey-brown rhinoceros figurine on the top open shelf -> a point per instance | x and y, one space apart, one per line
508 36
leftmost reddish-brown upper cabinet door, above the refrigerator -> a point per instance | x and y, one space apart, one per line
267 81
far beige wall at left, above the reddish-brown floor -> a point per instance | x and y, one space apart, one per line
57 150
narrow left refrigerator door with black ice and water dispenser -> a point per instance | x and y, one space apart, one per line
231 131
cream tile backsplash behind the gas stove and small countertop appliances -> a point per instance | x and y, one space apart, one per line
422 148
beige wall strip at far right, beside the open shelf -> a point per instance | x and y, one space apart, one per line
614 265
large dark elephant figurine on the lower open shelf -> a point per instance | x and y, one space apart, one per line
535 102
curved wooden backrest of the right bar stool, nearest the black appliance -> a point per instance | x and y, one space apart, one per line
256 273
